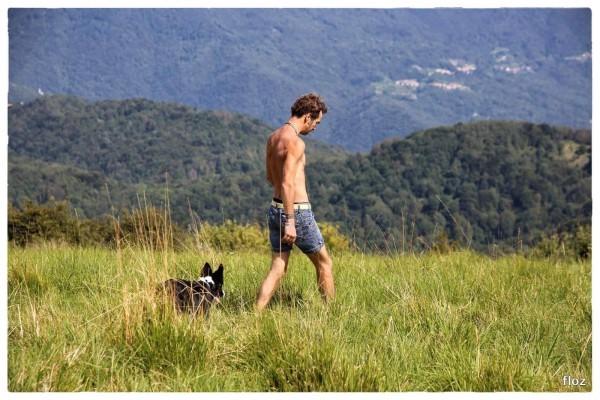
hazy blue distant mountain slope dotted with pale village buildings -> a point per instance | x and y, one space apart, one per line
383 72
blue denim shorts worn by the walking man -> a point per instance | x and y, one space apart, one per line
308 235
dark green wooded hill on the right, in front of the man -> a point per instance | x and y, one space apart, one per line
481 184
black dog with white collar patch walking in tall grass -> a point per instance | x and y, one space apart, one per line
197 296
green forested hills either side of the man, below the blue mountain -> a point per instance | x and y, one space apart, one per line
481 184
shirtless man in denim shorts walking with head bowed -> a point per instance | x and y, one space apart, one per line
290 216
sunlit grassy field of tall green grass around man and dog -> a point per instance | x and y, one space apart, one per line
84 319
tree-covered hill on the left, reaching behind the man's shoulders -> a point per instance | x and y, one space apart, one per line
65 147
